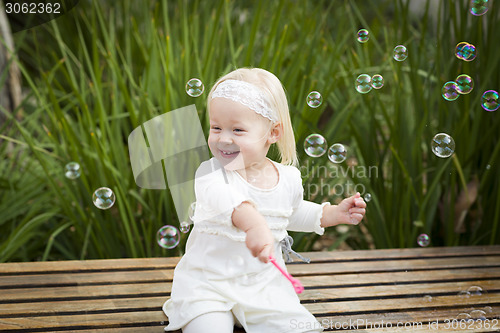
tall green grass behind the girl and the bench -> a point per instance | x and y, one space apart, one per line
103 69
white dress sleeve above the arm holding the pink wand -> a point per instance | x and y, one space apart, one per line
216 196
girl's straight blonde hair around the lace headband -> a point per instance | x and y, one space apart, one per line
275 94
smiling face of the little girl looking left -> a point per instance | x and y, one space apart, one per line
239 137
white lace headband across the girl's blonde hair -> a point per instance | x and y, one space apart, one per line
247 94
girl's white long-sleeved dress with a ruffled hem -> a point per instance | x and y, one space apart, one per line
218 272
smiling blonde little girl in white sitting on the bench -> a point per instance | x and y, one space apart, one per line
245 203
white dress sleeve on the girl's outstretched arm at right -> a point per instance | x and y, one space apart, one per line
306 215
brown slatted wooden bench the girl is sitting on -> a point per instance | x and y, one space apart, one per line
412 290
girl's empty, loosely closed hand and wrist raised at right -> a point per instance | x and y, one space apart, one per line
349 211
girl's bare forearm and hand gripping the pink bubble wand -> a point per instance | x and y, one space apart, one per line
259 238
